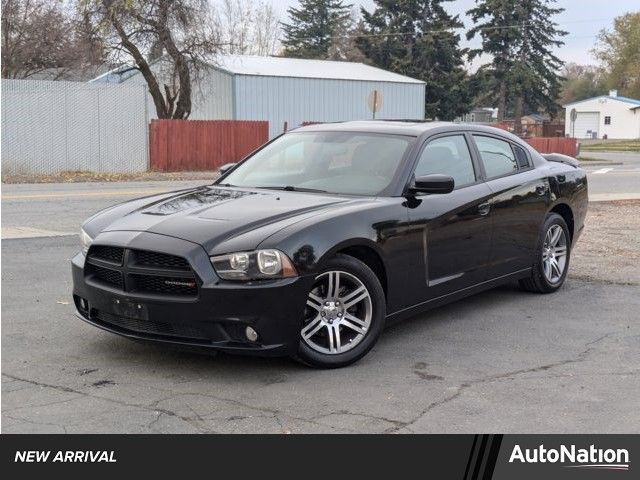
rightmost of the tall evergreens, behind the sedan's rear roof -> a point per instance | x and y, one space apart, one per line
520 37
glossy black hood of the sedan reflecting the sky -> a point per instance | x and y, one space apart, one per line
211 216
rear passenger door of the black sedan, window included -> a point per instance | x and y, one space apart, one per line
519 202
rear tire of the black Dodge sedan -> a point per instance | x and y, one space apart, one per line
540 281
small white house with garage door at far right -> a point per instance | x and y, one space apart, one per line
612 115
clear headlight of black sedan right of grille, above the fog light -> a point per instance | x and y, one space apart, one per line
260 264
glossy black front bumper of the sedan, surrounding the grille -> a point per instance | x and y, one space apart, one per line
217 318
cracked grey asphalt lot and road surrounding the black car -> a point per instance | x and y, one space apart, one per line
503 360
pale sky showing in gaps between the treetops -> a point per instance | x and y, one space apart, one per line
583 19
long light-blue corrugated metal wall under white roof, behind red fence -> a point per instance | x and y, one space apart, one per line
295 100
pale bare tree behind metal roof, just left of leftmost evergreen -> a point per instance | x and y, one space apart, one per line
249 27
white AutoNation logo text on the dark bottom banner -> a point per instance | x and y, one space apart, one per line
573 457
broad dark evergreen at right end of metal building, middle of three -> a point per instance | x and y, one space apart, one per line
416 38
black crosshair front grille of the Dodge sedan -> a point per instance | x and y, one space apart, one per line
140 271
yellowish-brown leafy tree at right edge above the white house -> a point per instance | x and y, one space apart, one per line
619 53
